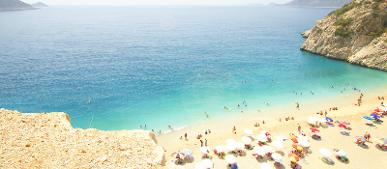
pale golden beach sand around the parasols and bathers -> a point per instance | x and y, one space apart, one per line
221 130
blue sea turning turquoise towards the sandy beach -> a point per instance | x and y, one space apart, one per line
122 67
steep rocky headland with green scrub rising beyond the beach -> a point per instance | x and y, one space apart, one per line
357 33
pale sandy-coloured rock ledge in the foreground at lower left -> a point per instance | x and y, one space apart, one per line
47 140
